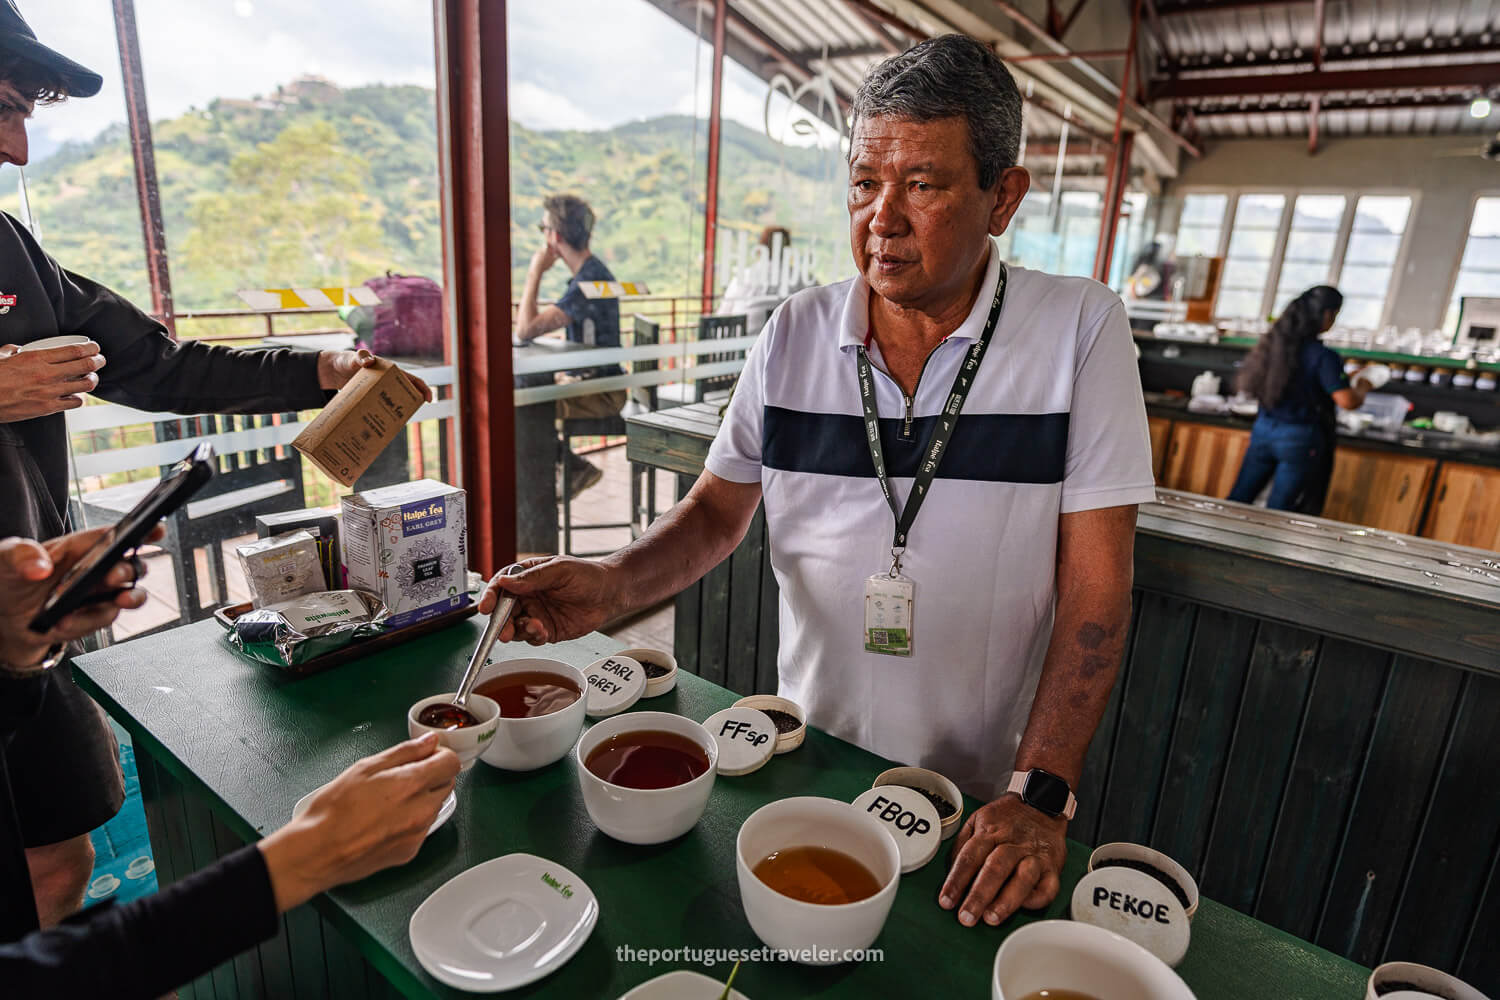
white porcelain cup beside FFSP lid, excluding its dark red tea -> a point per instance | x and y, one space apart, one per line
646 816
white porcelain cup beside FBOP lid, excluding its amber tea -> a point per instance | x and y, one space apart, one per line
793 924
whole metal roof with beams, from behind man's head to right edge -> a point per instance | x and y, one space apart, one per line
1225 68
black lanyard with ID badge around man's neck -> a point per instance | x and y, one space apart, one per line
890 599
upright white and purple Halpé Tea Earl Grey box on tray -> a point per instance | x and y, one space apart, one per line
409 545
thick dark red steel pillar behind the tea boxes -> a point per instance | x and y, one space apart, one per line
475 163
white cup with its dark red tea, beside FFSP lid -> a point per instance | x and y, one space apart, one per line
647 776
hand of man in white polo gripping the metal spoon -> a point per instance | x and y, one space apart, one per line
557 597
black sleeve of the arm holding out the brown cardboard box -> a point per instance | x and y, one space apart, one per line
149 371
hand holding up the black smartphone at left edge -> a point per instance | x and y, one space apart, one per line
32 570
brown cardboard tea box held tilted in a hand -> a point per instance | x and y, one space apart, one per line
358 425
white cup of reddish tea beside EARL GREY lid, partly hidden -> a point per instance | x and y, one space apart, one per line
541 711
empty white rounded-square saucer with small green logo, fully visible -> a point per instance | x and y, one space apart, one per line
503 924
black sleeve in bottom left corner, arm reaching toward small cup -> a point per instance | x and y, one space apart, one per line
149 947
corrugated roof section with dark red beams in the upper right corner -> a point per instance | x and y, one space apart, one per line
1277 68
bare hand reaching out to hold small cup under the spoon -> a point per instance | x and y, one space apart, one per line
373 816
